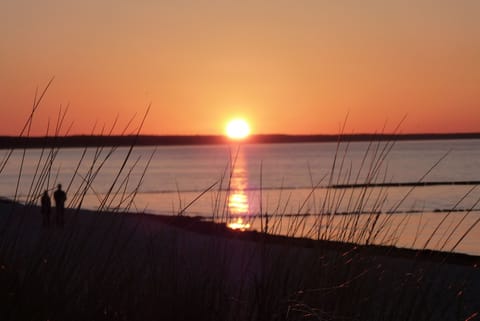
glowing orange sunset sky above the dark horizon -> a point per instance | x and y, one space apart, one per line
286 66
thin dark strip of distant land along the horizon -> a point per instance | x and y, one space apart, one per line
8 142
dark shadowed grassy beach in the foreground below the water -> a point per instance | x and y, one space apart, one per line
107 266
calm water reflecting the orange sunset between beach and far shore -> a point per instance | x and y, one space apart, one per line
415 194
